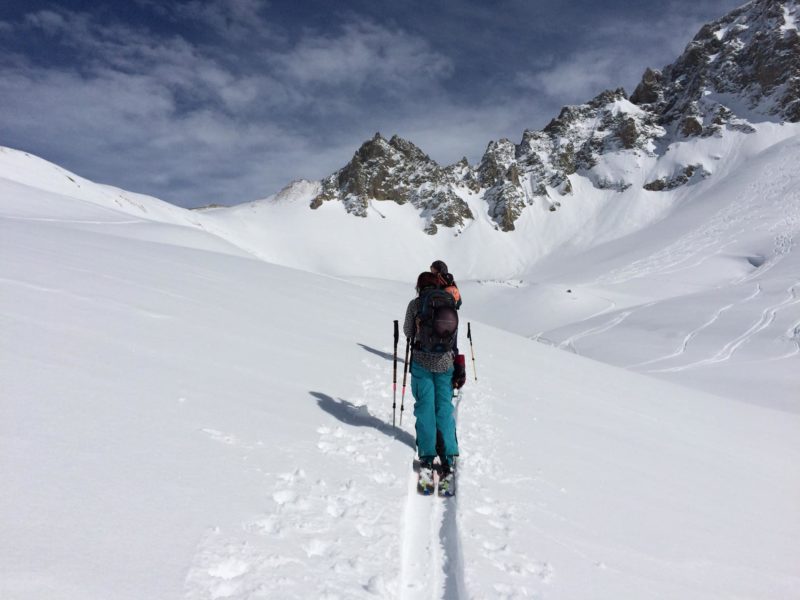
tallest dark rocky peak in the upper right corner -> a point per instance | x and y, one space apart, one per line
751 56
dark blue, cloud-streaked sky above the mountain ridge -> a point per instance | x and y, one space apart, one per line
228 100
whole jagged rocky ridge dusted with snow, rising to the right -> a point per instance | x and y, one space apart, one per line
747 61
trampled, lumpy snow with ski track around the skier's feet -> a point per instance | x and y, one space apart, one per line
328 536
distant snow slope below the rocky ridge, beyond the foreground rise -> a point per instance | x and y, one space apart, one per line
697 285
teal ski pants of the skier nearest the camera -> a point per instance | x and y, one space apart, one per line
433 409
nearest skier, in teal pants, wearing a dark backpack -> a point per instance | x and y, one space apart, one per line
431 323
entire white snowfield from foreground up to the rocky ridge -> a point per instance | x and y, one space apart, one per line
198 405
